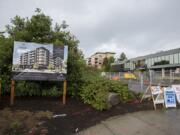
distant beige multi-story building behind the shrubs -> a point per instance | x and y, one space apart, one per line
97 59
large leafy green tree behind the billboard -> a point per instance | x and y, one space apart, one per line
39 29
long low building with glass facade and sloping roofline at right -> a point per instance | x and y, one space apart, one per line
158 61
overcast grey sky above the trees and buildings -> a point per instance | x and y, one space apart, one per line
136 27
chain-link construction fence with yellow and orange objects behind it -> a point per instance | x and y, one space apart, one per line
139 81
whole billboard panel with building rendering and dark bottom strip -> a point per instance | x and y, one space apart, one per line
33 61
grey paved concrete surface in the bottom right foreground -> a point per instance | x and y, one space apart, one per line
161 122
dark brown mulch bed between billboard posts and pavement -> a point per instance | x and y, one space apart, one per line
79 116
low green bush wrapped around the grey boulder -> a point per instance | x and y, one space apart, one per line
95 89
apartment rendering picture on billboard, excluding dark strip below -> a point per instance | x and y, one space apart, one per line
34 57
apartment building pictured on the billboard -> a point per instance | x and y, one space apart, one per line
39 56
